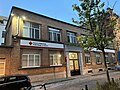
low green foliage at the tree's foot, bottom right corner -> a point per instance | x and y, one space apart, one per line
108 86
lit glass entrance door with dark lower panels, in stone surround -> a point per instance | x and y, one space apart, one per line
74 64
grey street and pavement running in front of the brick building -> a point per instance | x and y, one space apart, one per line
80 81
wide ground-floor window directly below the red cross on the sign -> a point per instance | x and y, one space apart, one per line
31 58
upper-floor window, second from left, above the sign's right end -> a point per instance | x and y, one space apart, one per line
54 34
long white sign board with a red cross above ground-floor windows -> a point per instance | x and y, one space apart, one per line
40 44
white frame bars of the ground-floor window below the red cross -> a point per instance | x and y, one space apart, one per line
28 55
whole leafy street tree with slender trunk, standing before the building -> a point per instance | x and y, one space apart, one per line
100 26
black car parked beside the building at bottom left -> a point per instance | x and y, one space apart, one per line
14 82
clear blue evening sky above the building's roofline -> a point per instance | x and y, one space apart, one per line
58 9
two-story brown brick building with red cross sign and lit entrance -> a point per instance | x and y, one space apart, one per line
46 48
